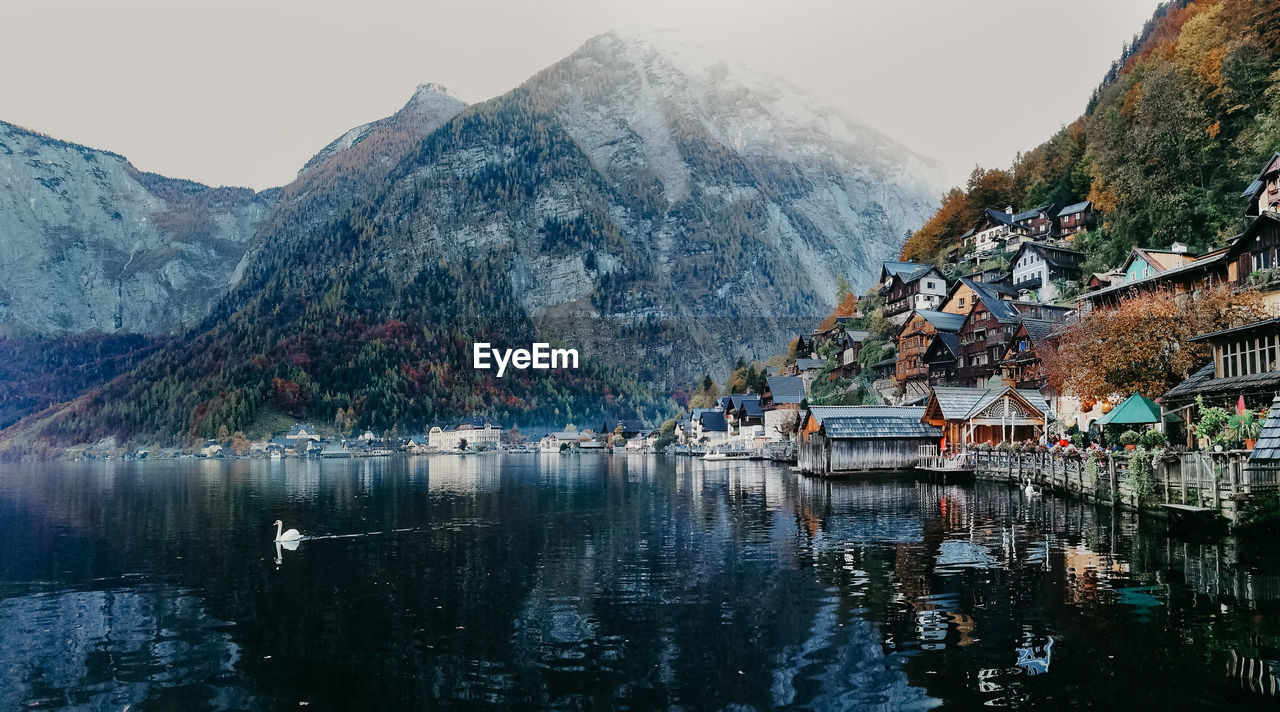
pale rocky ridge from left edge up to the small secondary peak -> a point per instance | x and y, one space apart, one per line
90 244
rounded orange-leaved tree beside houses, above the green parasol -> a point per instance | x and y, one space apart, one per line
1142 345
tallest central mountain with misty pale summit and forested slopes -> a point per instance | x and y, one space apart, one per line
642 202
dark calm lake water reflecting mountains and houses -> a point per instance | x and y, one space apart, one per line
607 582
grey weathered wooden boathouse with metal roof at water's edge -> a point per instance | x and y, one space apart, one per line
842 440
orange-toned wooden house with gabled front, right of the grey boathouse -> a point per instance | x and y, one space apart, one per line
995 416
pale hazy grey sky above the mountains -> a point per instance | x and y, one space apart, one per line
244 93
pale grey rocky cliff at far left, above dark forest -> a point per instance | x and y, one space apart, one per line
89 243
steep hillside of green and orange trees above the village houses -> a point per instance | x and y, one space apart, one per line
1176 131
